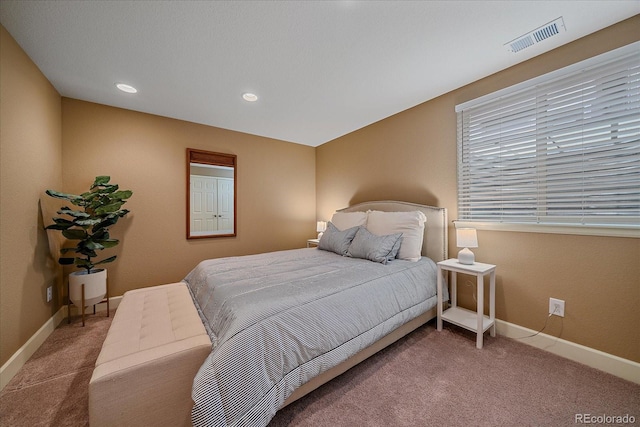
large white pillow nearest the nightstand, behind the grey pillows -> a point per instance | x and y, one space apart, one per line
410 224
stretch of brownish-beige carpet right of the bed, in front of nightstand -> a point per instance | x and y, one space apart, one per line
432 378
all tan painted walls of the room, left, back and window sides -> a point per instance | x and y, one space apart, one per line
410 156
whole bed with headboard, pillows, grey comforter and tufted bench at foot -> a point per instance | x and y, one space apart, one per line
270 327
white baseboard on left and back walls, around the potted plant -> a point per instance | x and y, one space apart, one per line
20 357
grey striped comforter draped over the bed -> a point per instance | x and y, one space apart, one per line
278 319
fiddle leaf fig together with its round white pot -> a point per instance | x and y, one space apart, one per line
98 209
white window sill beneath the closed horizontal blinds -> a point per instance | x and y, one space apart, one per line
585 230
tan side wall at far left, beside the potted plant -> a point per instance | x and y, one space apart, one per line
30 160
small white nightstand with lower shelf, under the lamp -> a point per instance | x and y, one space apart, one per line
474 321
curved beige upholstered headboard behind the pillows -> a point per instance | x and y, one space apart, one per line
435 242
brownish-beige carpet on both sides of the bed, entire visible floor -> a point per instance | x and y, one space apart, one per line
426 379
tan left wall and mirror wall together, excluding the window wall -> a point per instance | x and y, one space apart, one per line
141 152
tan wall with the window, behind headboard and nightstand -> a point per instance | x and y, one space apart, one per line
412 156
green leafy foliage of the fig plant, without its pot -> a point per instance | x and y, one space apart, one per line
99 209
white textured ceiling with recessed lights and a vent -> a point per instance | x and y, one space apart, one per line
322 69
